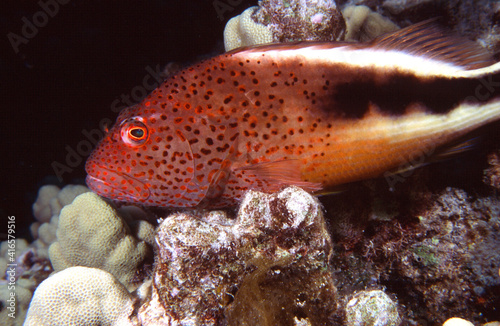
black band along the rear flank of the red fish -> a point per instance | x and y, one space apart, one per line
395 93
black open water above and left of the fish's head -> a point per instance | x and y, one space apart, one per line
66 77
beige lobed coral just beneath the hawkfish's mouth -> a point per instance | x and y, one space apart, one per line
92 233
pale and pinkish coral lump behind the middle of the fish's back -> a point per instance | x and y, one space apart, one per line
285 21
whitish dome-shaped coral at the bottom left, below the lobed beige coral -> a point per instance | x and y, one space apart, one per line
79 296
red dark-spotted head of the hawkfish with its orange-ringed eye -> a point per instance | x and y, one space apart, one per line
142 160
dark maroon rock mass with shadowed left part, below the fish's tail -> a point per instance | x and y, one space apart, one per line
435 251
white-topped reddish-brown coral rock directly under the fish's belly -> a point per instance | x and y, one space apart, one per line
269 266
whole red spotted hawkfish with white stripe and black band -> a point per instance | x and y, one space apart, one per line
313 115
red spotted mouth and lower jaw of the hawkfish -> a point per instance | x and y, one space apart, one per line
118 186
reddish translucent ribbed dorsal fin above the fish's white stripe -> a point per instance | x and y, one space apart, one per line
429 39
